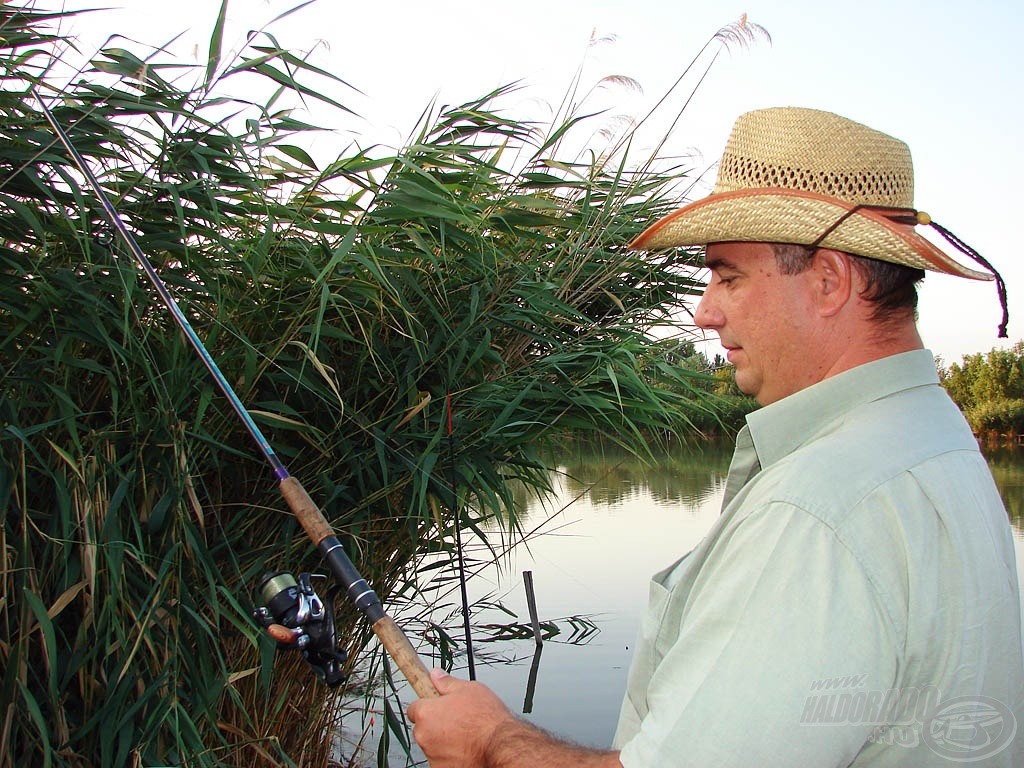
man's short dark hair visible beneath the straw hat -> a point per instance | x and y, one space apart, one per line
891 288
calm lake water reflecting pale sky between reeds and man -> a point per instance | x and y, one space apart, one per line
593 549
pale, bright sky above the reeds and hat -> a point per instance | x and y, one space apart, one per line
943 76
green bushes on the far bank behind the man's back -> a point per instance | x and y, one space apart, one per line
990 390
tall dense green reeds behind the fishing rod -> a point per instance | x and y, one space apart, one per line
347 302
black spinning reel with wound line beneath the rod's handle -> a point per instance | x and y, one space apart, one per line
294 616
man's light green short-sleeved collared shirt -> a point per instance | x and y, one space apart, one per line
857 603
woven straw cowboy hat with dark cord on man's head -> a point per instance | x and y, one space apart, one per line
810 178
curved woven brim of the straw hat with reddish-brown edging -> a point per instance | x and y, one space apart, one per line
782 216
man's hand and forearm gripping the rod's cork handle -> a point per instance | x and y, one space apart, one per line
467 727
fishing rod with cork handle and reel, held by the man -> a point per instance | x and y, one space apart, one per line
303 604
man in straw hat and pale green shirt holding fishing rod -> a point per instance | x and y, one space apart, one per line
857 604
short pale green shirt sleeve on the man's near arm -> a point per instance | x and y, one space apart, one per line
780 623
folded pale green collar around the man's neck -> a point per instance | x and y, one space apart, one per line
779 430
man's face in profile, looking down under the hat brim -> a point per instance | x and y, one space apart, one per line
763 319
